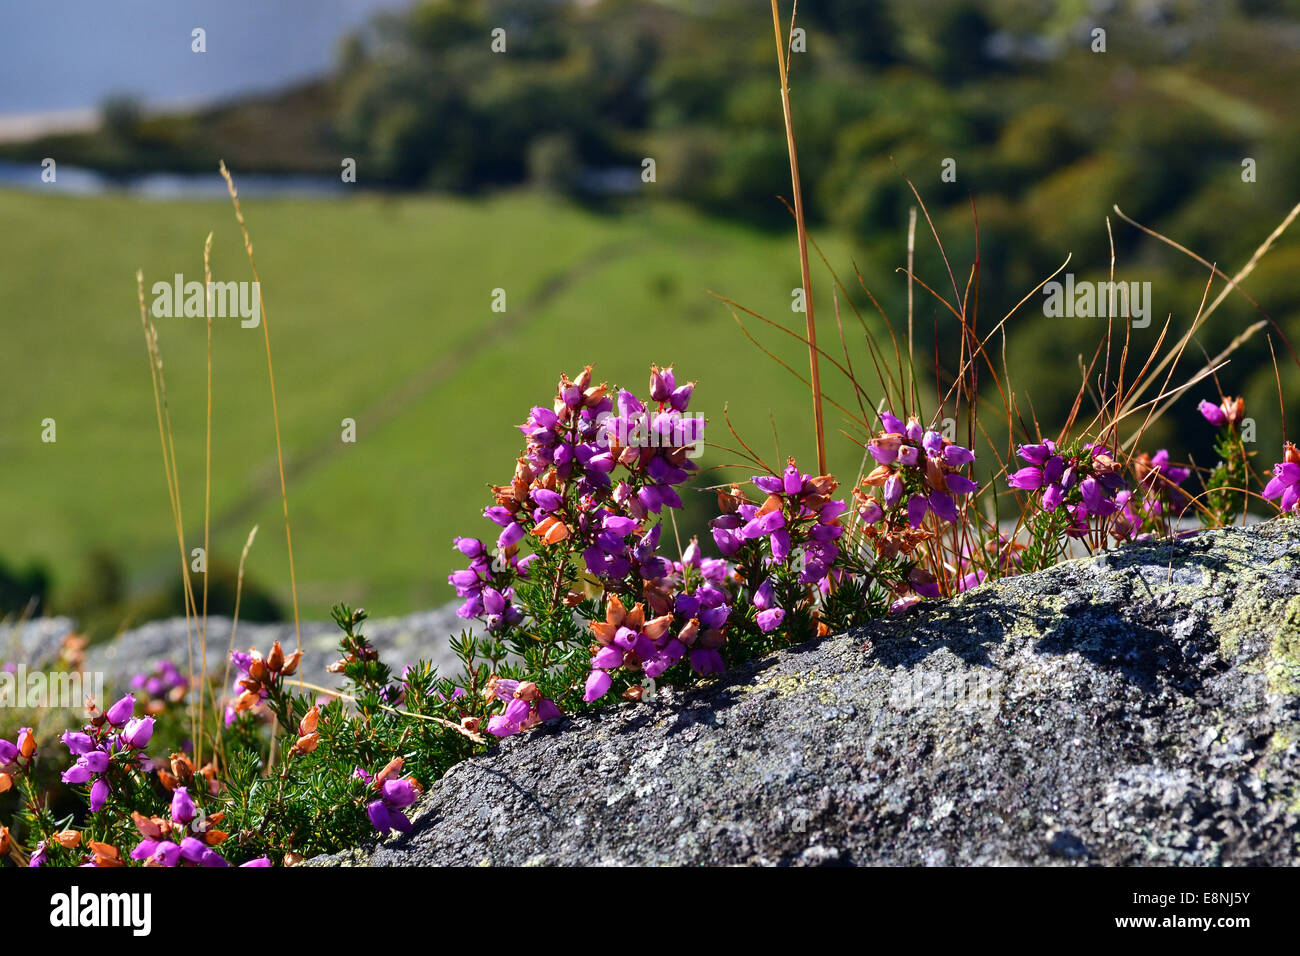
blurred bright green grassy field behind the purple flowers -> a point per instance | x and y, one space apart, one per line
380 310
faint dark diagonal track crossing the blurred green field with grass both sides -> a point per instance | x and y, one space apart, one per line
402 397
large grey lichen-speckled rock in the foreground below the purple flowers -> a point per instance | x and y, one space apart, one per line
1137 708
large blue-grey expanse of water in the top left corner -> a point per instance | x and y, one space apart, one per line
72 55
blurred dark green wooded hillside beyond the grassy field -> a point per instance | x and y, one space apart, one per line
1045 131
